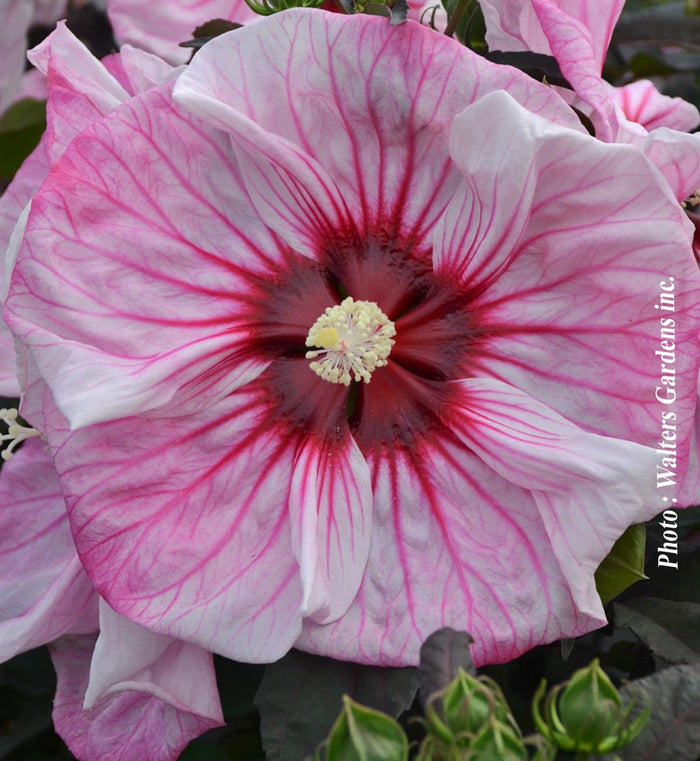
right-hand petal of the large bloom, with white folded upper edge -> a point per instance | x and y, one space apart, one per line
550 308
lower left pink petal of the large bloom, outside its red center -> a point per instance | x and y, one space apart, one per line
184 530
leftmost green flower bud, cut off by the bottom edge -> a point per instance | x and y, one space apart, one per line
361 734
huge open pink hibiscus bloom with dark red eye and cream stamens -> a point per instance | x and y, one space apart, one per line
483 263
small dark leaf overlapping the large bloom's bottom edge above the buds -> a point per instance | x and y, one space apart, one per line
442 655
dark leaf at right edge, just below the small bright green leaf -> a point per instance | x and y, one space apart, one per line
671 629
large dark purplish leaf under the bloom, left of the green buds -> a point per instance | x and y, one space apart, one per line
301 695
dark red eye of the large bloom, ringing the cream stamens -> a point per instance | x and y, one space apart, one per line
404 400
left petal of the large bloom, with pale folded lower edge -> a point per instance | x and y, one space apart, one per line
182 325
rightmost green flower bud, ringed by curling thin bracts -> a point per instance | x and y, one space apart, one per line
586 713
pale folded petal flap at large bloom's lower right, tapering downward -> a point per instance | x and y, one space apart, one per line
588 489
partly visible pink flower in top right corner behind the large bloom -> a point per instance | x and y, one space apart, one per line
577 33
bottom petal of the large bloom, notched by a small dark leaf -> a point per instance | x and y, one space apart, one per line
453 544
